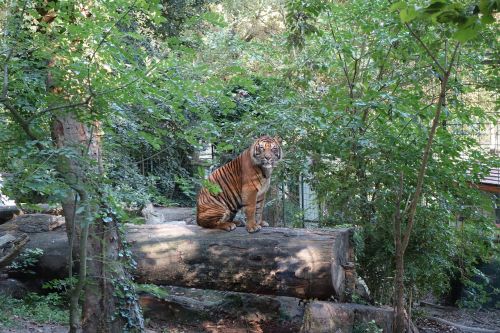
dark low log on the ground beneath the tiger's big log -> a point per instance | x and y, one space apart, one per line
214 311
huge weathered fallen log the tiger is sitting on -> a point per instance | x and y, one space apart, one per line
279 261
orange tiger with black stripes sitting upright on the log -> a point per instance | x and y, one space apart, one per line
244 182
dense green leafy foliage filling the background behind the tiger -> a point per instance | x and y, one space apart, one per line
347 85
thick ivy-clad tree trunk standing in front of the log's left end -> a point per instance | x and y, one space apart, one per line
84 231
